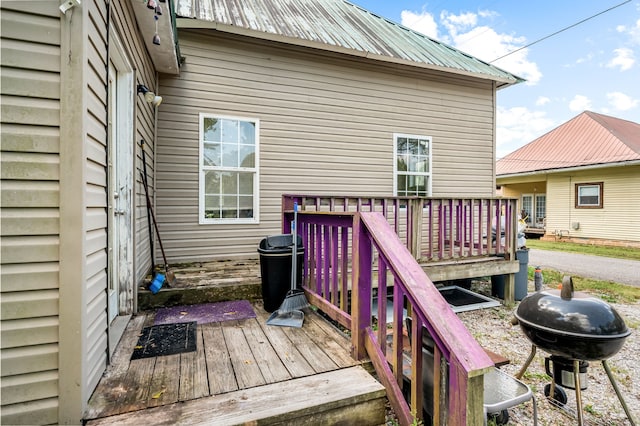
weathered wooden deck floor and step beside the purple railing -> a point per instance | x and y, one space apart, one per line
242 371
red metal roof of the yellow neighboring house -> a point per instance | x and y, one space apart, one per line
585 140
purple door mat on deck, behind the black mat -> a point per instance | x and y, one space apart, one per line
206 312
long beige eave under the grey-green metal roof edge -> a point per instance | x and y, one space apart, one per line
190 23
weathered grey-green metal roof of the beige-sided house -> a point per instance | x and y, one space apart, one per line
335 25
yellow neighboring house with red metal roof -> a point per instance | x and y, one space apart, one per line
579 181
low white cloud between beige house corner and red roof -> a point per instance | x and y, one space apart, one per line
518 126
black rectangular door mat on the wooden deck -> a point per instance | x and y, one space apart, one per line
166 339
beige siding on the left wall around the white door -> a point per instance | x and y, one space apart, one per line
54 203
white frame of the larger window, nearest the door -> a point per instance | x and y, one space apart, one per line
202 169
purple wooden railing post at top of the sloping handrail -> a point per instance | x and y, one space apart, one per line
361 288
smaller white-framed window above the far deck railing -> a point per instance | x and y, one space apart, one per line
412 165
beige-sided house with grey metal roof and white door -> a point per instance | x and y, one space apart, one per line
283 96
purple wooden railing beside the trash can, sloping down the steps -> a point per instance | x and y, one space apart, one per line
344 251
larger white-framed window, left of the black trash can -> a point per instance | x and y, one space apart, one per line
228 169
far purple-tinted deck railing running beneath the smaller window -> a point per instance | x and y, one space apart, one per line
433 229
